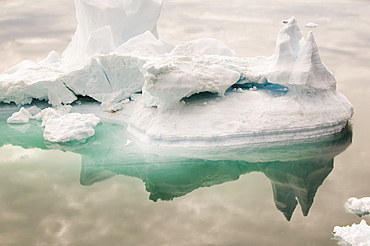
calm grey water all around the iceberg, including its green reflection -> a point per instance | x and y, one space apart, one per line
104 193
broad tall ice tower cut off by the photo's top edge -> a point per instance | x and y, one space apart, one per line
105 25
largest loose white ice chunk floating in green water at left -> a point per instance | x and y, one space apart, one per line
70 127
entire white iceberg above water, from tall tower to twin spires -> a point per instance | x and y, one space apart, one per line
194 94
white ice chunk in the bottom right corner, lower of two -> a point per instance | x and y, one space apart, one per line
355 235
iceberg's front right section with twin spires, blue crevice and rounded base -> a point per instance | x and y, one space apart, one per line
297 99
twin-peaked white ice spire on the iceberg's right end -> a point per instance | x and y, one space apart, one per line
297 63
